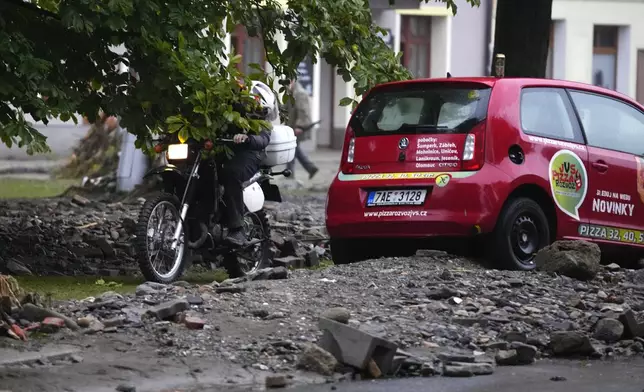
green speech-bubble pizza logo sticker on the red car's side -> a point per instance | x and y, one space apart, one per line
568 182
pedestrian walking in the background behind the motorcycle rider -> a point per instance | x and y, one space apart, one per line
299 116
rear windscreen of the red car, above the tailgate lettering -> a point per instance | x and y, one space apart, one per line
423 108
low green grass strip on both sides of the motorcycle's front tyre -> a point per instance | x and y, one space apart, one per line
79 287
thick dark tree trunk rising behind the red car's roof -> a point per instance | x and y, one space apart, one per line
522 34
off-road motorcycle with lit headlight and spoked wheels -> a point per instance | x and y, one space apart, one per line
184 220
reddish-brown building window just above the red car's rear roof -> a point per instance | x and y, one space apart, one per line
415 44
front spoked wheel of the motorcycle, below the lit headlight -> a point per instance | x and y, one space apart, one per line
155 230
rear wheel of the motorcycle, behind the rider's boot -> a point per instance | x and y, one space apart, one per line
246 261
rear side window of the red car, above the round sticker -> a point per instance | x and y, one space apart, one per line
547 112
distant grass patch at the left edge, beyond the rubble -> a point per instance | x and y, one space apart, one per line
21 188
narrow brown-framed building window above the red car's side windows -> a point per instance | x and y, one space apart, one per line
605 56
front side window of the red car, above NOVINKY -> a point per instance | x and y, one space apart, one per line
609 123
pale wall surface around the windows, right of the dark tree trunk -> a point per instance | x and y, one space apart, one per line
579 17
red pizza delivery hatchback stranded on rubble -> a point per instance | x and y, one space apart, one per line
522 162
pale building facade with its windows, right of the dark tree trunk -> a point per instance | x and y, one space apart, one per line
599 42
